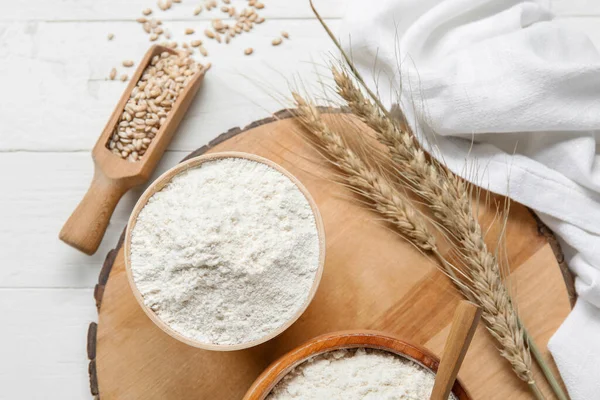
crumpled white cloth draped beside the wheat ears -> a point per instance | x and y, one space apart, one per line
527 91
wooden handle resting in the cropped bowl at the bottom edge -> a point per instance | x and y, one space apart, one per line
463 328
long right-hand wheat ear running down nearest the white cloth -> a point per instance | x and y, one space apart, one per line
450 201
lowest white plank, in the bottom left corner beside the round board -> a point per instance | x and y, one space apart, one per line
43 343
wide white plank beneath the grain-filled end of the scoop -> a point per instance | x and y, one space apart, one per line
61 100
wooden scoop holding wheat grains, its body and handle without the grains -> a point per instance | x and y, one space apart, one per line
113 176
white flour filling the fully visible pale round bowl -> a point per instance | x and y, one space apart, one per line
226 252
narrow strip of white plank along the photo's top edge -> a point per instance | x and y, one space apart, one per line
95 10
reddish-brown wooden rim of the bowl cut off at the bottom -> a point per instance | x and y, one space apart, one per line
263 385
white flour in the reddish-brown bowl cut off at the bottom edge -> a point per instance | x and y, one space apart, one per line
356 374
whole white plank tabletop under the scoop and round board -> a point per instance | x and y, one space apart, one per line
54 58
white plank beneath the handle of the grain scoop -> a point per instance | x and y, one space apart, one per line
40 190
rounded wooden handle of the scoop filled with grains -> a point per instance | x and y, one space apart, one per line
85 228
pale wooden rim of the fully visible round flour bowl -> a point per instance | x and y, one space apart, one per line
160 183
